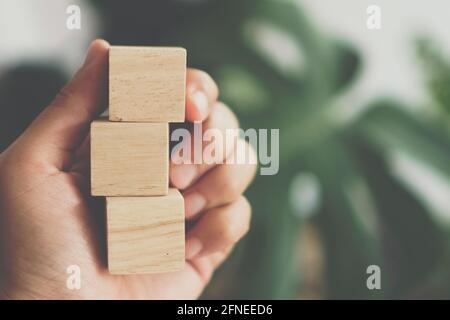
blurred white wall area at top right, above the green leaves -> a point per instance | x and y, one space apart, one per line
390 64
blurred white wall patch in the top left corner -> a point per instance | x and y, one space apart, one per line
35 30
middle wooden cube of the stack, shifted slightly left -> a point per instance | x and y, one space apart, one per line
129 159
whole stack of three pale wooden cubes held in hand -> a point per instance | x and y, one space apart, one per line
130 160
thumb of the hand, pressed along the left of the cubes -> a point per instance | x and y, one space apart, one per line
64 123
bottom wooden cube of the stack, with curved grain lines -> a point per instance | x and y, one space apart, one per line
145 234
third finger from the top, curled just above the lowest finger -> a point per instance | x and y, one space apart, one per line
222 185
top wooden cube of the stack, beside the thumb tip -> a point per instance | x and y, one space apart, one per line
147 84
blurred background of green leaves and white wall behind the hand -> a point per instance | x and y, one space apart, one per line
364 119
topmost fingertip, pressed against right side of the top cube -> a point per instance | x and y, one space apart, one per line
201 94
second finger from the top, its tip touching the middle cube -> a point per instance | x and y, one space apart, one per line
219 121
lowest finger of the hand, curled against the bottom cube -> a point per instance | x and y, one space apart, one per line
219 229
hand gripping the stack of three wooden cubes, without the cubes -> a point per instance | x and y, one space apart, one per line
48 221
